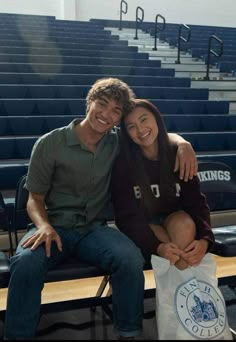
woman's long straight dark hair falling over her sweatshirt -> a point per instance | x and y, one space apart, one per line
135 161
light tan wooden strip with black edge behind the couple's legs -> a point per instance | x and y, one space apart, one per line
93 291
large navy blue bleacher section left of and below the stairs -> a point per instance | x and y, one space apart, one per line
46 71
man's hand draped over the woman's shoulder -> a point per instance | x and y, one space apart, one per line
186 161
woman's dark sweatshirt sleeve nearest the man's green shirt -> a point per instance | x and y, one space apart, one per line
128 216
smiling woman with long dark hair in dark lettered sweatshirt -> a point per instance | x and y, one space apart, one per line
162 214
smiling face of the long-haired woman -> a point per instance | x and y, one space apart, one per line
142 127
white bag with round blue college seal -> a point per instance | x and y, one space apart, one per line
189 303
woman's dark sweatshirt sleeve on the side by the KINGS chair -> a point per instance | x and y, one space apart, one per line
195 204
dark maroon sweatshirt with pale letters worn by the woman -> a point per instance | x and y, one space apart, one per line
133 220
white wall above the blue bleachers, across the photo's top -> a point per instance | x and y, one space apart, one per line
204 12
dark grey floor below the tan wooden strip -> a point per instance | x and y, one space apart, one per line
97 325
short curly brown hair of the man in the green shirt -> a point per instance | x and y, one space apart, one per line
111 88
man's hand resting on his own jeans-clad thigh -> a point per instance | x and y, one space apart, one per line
47 235
